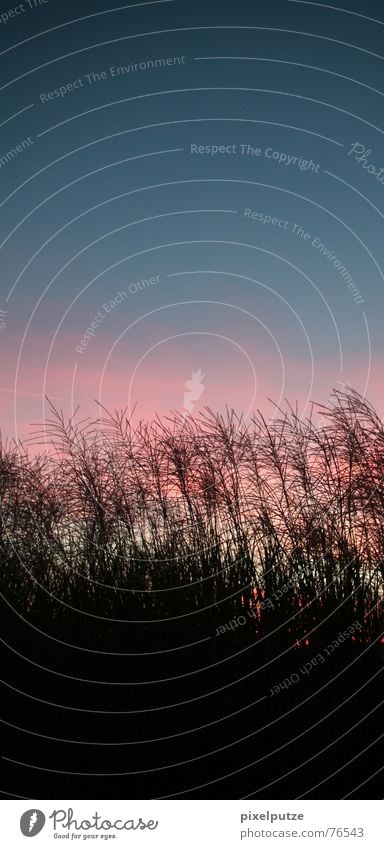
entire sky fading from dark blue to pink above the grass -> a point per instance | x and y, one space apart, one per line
191 206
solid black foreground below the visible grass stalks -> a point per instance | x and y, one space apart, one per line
230 721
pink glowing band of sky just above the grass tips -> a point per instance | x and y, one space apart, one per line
156 383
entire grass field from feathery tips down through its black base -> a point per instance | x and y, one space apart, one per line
194 563
